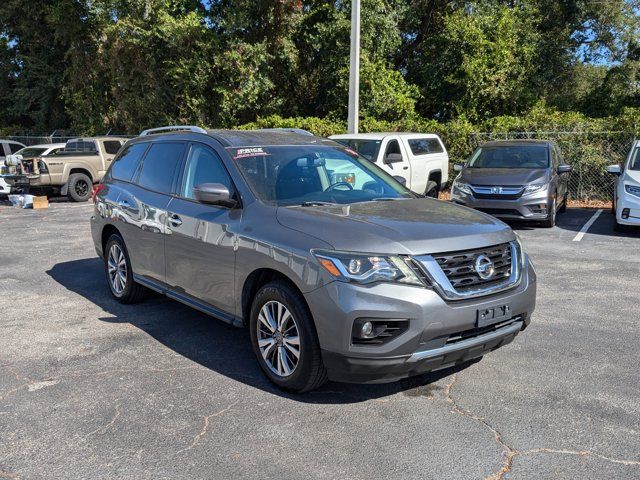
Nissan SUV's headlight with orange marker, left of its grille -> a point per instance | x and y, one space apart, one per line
366 269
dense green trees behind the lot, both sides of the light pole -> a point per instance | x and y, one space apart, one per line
122 65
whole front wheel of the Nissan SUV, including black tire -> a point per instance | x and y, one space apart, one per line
284 339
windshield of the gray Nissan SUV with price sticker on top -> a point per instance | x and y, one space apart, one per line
299 175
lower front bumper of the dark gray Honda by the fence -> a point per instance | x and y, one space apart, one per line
530 207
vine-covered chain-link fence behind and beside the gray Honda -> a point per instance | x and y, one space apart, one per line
589 153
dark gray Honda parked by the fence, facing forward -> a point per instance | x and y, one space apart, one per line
518 179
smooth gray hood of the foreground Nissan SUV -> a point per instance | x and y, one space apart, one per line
410 227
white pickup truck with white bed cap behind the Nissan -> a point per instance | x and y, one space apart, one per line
421 159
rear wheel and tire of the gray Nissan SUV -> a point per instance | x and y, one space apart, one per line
117 267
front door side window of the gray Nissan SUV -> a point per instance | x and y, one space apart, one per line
203 166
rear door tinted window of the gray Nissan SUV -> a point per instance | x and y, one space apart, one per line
159 166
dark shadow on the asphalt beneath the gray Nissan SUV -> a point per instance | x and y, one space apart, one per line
213 343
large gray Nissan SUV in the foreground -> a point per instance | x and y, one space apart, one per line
337 269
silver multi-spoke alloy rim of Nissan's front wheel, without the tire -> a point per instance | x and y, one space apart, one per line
278 338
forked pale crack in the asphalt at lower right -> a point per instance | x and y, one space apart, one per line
509 452
